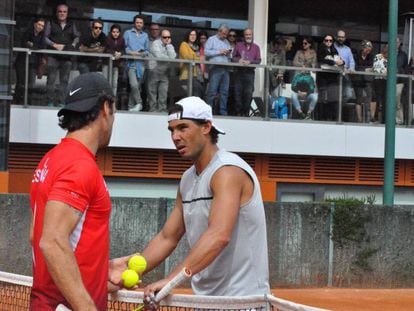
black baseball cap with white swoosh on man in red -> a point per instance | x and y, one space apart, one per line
83 92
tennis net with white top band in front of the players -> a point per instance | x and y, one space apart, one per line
15 292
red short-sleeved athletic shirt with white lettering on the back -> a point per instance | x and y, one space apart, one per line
68 173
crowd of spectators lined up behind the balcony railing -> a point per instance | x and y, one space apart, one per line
145 80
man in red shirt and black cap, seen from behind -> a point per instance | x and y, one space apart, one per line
71 205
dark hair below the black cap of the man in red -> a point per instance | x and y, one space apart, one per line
73 120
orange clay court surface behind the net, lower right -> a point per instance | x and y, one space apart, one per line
348 299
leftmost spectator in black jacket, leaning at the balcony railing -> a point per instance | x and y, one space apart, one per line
33 38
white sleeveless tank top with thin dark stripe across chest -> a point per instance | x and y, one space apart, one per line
242 267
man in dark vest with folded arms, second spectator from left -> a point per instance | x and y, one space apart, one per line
60 35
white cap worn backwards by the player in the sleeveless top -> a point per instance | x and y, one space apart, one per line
194 108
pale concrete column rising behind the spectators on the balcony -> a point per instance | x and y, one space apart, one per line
258 20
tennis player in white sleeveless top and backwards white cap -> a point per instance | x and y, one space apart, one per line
219 206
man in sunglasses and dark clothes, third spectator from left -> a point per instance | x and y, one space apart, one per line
92 42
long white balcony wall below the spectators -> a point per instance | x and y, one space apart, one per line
149 130
